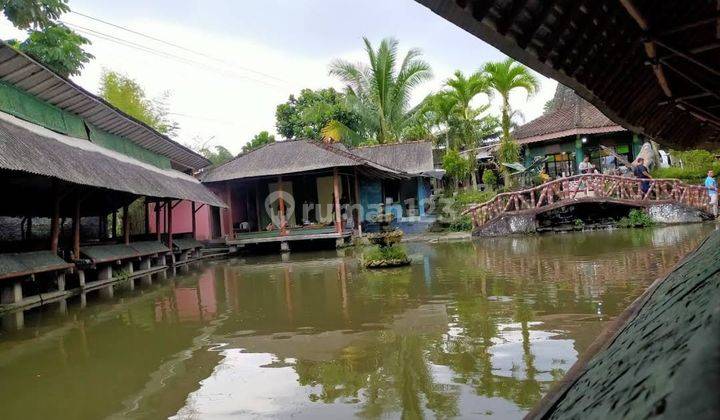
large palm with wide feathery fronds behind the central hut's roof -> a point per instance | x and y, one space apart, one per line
379 91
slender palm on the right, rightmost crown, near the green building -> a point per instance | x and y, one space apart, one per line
504 77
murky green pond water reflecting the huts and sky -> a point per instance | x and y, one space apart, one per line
469 329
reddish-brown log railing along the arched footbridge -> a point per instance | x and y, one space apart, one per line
589 188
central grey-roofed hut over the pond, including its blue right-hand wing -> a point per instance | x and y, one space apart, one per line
317 190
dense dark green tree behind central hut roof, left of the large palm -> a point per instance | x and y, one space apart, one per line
304 116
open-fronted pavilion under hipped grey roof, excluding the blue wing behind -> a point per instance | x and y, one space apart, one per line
311 188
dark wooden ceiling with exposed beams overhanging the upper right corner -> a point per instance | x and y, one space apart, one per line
651 66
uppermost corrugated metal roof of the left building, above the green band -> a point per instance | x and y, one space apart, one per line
28 75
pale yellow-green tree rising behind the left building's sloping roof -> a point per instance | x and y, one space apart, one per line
128 96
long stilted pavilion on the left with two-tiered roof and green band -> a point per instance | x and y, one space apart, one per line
68 156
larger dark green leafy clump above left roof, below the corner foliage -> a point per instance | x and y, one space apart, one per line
57 47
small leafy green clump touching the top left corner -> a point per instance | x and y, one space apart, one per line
26 14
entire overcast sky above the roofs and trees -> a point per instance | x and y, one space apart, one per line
258 53
